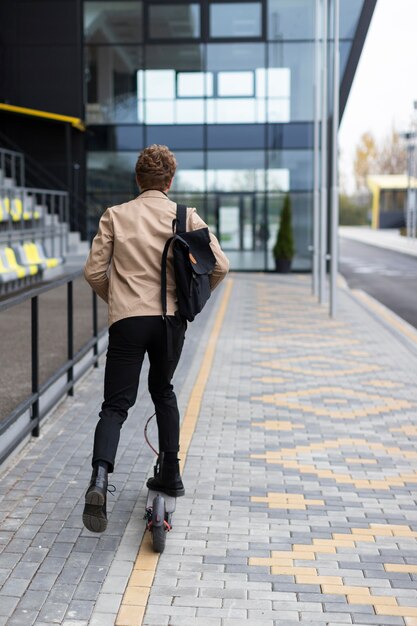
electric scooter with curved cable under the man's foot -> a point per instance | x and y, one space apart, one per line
159 507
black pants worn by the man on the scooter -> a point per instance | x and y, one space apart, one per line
129 340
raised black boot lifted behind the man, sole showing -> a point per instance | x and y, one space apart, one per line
95 514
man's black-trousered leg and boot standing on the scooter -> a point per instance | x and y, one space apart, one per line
161 371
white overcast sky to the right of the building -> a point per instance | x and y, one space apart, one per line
385 85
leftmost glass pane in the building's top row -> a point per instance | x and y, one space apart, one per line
113 22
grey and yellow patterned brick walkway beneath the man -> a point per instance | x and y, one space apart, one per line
301 482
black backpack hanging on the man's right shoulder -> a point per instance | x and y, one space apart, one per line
193 262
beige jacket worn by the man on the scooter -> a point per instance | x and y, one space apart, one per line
124 264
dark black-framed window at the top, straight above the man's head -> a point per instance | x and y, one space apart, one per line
174 21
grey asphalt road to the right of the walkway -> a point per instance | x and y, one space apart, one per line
390 277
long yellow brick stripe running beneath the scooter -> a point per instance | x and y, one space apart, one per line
135 598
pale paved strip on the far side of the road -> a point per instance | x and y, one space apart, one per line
388 238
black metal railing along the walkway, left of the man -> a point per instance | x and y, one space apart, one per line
68 374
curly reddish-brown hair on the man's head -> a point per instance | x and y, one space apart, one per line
155 167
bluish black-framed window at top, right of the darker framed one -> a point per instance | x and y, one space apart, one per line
236 19
